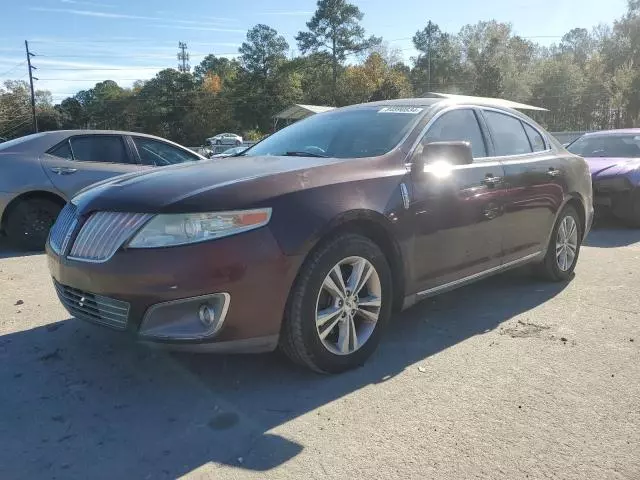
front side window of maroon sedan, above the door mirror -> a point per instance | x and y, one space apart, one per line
458 125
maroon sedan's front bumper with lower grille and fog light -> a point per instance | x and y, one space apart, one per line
244 278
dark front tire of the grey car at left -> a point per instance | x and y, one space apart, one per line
28 223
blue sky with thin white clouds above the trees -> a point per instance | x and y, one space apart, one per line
80 42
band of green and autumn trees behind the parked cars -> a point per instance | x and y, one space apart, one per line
589 80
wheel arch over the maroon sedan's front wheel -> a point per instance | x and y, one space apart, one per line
377 228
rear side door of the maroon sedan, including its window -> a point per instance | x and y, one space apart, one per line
534 181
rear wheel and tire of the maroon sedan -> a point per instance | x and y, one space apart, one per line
553 268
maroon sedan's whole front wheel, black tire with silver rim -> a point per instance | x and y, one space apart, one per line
300 338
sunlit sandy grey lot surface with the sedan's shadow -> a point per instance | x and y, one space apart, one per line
509 378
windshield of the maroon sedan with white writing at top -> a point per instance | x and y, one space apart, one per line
351 133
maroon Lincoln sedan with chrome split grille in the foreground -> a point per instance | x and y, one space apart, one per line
311 238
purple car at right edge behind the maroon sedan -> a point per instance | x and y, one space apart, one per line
614 161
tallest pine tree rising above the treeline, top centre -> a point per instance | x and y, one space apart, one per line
335 29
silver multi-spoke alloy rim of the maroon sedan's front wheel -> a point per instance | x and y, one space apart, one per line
348 305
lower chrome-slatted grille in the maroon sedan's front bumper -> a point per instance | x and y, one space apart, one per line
93 308
